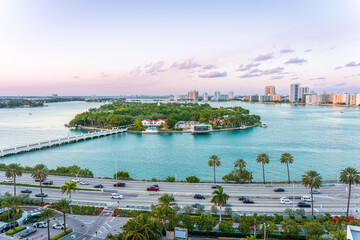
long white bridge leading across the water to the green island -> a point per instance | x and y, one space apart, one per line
57 142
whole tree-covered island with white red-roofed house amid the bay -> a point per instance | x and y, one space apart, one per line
165 117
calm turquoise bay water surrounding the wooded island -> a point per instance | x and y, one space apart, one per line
321 138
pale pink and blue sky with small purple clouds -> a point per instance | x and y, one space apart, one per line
113 48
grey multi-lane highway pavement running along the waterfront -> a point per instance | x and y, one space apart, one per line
333 197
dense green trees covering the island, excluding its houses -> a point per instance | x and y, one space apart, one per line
120 113
